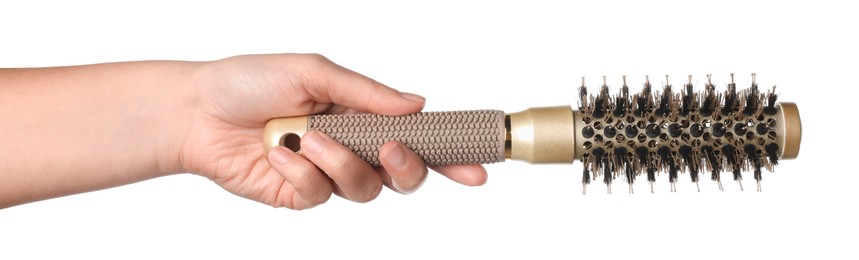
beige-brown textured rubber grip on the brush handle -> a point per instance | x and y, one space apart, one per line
439 138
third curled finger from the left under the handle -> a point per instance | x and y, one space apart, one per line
403 170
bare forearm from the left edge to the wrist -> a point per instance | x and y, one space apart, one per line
75 129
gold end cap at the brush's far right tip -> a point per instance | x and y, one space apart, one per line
789 130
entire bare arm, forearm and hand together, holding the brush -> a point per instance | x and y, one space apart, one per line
69 130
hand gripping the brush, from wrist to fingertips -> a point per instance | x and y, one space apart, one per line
238 95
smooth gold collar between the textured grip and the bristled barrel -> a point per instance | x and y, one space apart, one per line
543 135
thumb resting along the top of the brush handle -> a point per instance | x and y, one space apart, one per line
327 82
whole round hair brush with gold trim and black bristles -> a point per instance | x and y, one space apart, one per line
625 135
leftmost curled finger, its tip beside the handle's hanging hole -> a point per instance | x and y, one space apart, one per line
311 186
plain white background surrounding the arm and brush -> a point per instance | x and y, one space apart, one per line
461 55
